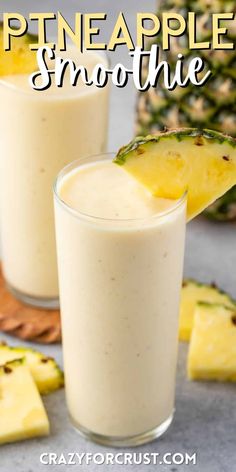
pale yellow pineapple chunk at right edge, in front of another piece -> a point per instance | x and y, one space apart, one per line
212 351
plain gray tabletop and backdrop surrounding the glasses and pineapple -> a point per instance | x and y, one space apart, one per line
205 420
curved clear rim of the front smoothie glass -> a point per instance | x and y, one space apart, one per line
80 215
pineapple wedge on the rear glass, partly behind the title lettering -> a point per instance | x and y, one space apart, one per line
20 59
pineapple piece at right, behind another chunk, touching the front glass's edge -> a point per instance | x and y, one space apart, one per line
193 292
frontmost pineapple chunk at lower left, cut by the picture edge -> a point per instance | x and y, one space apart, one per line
21 409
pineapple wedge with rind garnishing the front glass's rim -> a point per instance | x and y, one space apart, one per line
201 162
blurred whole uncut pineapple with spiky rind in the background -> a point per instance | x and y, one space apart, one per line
212 106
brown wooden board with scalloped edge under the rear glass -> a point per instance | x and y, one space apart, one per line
26 322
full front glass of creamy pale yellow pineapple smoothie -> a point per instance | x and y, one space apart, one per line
120 256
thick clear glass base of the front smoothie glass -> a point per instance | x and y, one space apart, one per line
124 441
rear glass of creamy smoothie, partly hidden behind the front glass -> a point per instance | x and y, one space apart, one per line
41 132
